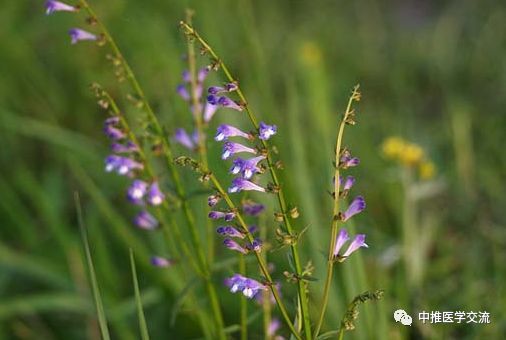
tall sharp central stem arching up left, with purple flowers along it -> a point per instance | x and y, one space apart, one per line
280 195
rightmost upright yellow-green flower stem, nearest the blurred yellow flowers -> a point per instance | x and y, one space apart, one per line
335 219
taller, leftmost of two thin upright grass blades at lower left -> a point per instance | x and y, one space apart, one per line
94 284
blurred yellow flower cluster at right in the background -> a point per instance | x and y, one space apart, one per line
409 155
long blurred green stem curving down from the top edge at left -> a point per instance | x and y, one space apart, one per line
172 170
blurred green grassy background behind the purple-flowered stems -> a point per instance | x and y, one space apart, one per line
432 72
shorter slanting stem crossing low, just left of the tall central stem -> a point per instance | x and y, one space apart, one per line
260 260
